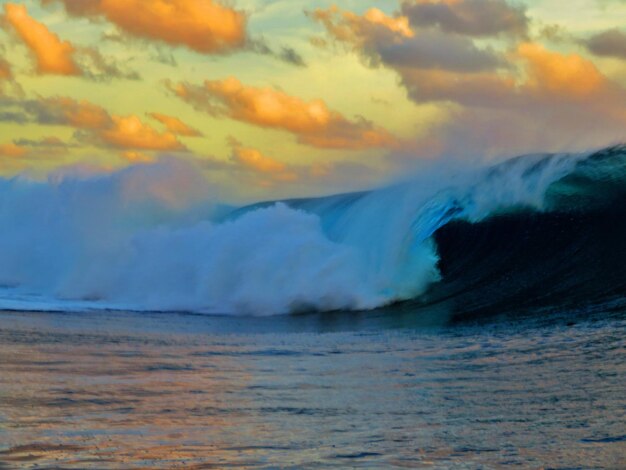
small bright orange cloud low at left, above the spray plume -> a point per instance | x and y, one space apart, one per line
129 132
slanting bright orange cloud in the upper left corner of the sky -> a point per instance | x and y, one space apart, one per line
53 55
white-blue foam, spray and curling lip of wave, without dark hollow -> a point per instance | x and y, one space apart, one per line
153 238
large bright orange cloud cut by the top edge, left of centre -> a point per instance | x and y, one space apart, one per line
201 25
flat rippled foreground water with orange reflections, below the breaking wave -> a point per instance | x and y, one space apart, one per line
132 391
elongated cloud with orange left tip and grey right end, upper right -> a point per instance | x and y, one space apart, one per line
390 41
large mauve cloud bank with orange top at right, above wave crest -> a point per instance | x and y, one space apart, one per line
561 102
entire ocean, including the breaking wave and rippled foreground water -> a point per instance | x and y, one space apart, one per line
472 321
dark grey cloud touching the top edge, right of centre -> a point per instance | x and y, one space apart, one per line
468 17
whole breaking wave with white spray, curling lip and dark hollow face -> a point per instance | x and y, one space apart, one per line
534 228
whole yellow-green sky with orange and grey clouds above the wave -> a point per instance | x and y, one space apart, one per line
281 98
